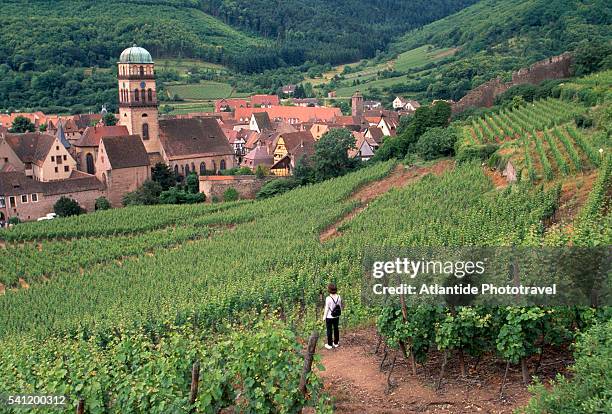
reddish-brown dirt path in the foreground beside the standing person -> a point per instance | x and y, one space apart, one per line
353 378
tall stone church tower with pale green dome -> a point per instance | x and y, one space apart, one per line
137 96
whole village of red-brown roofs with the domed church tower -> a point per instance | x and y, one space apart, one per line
81 158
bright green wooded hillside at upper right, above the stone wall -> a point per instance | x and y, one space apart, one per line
495 37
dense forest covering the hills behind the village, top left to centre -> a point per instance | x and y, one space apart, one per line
45 45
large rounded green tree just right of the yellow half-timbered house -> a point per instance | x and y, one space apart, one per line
331 154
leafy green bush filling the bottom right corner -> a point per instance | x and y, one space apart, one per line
589 389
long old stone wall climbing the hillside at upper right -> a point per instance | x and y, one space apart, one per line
556 67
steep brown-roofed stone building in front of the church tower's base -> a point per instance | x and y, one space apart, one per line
122 165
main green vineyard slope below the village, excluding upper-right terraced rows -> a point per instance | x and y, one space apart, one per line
131 310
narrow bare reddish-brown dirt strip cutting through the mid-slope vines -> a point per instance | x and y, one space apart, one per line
400 177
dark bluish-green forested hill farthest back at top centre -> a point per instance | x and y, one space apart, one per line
331 31
